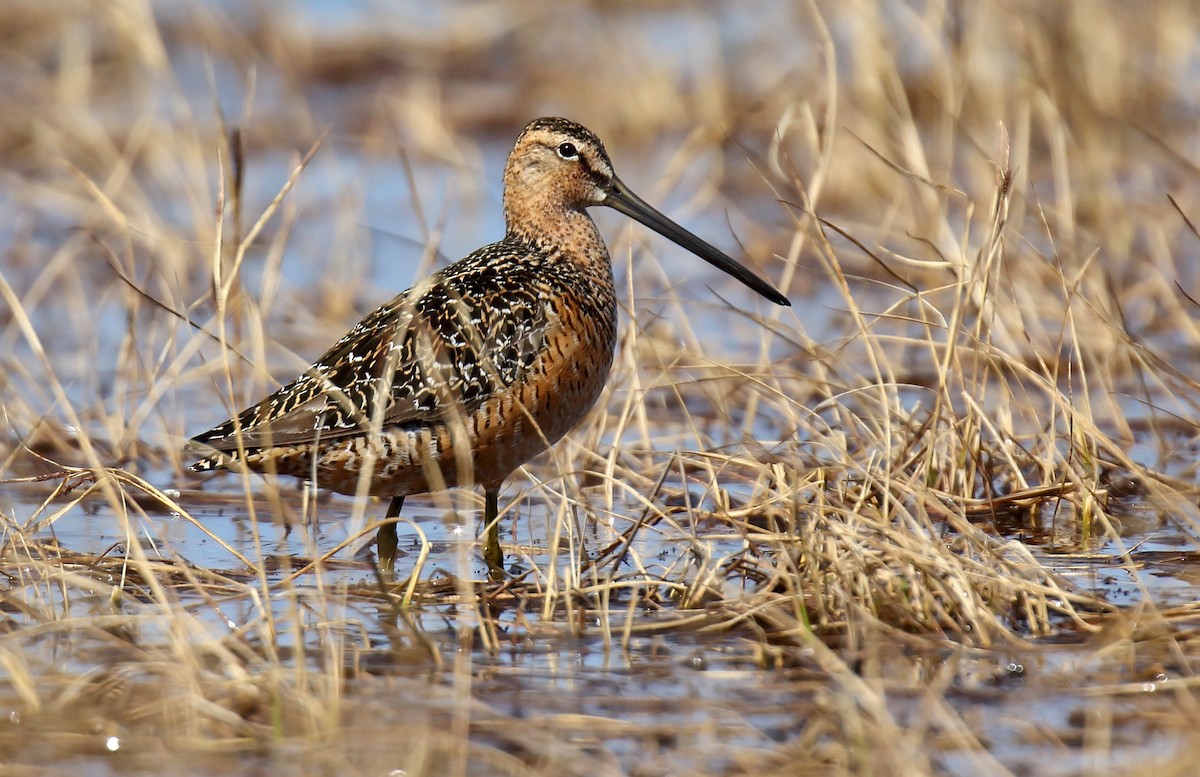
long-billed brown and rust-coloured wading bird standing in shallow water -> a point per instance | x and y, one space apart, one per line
472 372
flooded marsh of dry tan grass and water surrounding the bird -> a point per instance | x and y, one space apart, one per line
938 520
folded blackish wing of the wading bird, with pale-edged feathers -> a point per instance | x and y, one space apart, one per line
437 350
